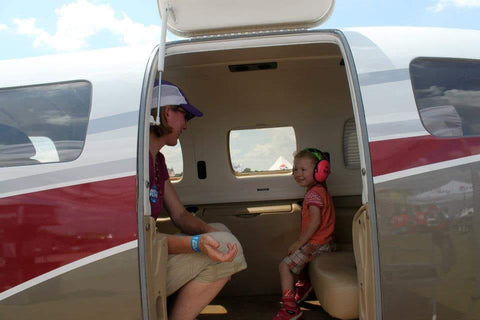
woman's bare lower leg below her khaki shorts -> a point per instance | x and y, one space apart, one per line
193 297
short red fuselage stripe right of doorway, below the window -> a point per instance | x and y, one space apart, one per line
400 154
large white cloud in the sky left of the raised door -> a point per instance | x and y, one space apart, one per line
80 20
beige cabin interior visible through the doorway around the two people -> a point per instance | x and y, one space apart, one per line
302 87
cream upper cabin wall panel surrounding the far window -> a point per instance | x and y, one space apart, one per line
308 91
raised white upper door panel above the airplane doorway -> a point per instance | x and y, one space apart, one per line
208 17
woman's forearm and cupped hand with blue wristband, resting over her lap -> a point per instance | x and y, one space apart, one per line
206 244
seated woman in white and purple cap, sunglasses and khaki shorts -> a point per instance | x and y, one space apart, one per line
213 251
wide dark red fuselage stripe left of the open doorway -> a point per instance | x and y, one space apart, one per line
45 230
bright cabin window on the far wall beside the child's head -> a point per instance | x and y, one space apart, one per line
262 151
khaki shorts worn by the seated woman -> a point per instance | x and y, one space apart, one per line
183 267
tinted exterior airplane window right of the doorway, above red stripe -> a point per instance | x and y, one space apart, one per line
447 93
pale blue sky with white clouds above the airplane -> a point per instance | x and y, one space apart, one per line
33 28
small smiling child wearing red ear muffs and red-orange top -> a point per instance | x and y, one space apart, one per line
310 170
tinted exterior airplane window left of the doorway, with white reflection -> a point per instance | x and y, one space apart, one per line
43 123
